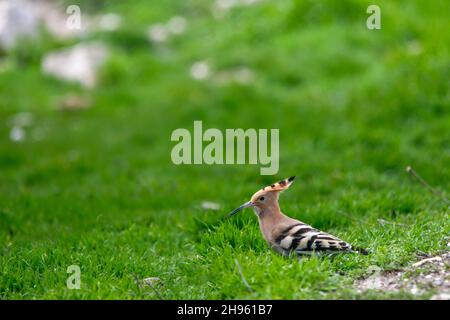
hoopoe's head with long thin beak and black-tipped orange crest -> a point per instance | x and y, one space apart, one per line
266 198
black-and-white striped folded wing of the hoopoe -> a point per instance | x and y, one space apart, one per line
304 238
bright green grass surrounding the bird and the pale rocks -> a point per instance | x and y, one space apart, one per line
97 187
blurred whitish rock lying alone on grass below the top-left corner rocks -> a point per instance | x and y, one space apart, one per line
79 63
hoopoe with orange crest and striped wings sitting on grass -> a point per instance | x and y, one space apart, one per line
286 235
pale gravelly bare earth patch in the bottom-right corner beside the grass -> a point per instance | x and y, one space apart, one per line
432 273
